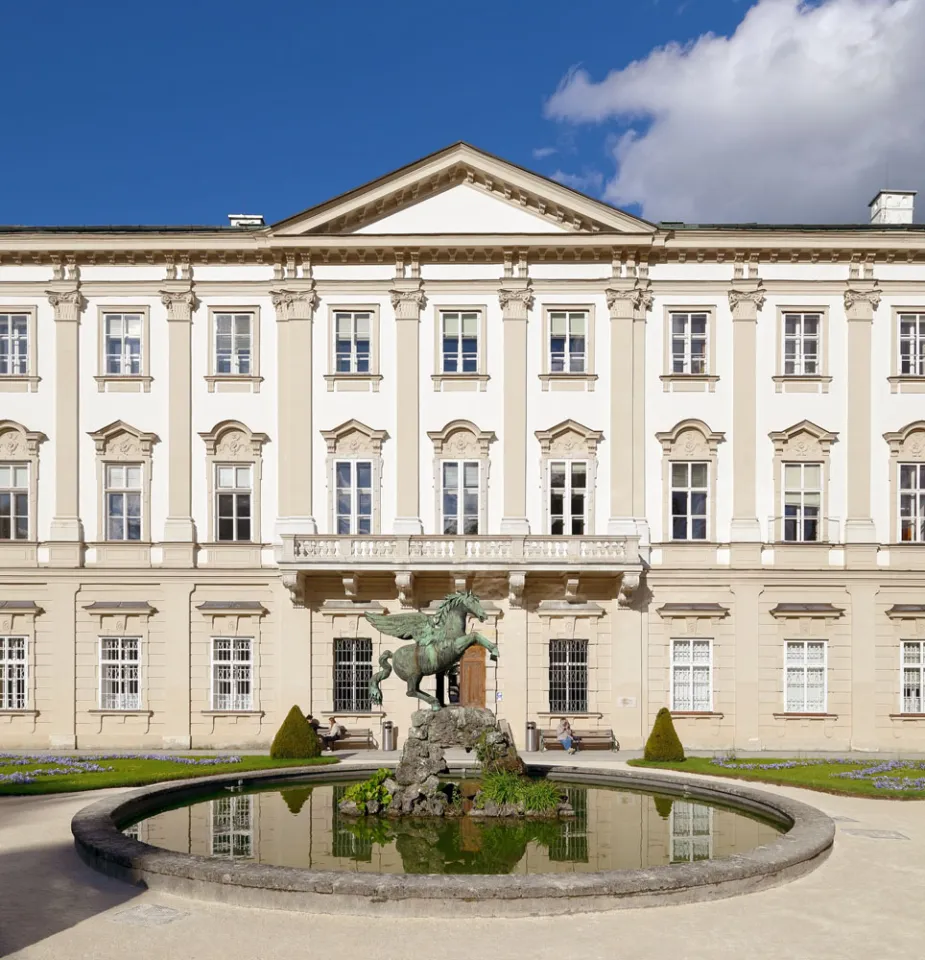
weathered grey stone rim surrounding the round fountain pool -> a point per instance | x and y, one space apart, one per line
100 843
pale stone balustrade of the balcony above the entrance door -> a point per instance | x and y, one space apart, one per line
435 552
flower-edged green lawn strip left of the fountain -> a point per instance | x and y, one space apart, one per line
38 773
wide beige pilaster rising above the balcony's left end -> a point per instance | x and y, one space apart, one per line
295 313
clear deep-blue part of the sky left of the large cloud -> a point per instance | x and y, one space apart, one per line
181 112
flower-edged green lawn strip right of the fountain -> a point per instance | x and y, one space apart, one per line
887 779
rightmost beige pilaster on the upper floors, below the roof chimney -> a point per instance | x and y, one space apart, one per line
859 307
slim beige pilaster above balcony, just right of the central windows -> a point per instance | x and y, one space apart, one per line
516 299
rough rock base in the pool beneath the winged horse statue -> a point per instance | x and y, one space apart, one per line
418 787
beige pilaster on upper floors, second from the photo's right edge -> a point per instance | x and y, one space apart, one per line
744 304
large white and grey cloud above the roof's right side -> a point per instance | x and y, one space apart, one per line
801 115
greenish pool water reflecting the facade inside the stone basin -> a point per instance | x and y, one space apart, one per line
300 826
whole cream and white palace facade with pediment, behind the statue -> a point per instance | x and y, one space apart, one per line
681 465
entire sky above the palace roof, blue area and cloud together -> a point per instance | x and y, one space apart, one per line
706 111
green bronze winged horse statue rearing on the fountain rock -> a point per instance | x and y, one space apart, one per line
439 641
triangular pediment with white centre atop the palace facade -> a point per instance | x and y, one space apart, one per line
461 190
